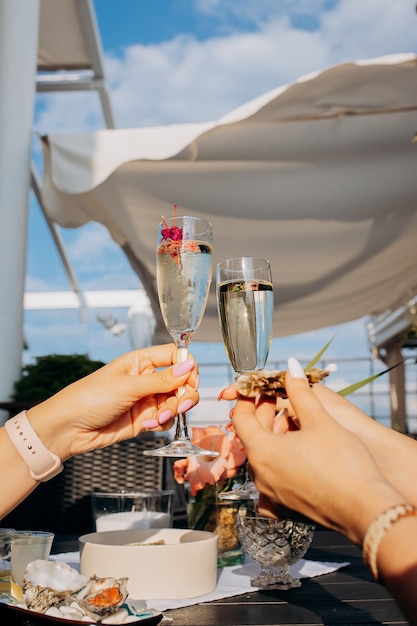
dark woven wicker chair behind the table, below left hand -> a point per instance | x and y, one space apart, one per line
63 504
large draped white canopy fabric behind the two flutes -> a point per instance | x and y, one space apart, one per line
319 176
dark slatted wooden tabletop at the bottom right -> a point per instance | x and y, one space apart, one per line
349 596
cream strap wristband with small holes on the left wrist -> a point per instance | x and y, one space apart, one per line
42 463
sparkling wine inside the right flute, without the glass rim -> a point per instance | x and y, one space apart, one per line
246 312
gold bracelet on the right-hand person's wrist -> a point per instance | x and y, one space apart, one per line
378 528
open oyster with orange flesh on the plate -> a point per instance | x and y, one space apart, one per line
102 596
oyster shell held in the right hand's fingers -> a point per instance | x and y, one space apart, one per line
272 382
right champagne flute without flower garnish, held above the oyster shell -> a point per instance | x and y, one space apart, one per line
245 301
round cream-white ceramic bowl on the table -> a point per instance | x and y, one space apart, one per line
184 566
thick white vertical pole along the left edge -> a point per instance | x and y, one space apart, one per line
19 26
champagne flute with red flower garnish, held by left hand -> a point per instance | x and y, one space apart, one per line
184 270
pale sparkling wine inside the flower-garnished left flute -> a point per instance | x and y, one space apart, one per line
183 285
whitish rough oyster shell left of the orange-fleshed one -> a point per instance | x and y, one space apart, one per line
49 583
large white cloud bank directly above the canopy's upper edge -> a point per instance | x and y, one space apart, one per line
188 80
